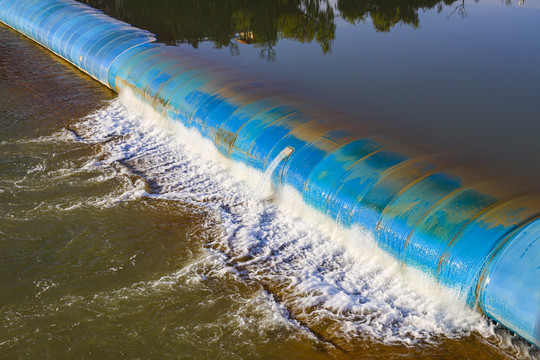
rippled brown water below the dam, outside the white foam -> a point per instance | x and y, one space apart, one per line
70 279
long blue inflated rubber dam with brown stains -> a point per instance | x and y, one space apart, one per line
478 237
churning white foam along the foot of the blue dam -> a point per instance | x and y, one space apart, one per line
319 271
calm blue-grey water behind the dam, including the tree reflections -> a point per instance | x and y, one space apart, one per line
458 77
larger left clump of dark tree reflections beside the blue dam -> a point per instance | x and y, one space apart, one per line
261 23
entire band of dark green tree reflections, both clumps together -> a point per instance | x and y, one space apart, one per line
227 23
